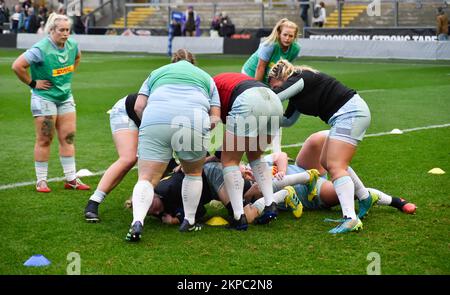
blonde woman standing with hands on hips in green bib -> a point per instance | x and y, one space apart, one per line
52 62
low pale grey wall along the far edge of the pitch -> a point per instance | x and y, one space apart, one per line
431 50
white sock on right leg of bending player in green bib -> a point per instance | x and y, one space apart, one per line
191 191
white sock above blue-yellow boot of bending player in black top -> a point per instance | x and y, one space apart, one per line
345 190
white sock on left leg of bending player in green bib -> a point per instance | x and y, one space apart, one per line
142 200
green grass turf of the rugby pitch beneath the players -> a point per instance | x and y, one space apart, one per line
400 95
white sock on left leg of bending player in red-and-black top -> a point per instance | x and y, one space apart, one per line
234 185
